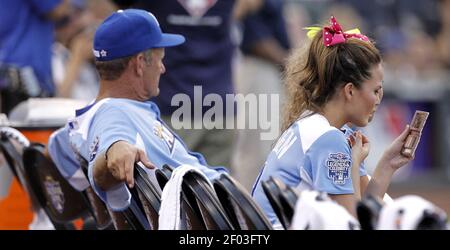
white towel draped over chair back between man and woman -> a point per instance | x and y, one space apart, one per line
169 212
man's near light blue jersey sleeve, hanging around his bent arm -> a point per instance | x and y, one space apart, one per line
110 125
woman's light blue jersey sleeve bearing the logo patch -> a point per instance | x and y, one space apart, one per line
331 162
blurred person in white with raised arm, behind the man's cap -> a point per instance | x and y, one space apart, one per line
72 62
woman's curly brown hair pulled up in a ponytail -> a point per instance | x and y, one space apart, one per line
314 73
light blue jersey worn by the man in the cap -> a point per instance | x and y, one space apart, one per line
101 124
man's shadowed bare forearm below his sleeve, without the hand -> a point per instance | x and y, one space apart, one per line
102 177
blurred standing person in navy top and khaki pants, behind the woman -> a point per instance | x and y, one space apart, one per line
265 45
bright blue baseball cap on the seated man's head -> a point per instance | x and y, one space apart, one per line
128 32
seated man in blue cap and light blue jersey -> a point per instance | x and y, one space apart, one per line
122 126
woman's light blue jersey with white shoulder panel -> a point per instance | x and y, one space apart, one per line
310 154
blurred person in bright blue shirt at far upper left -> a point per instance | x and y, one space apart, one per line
26 37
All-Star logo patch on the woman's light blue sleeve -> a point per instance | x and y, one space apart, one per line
338 165
